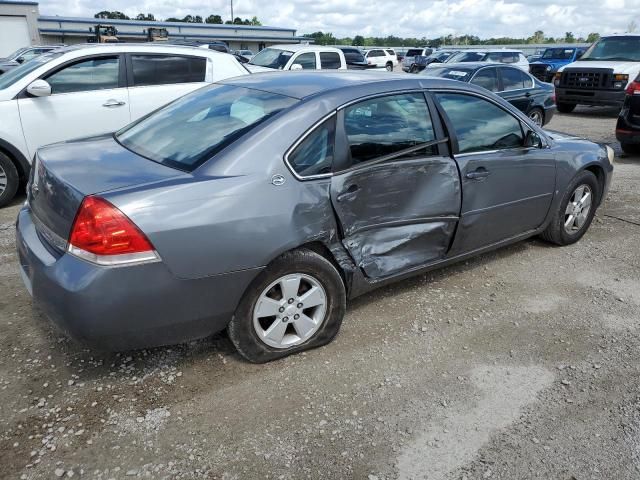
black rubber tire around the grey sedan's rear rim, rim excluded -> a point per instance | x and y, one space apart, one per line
241 330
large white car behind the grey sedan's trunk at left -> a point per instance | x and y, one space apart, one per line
90 90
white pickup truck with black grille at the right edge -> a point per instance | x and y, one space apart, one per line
601 75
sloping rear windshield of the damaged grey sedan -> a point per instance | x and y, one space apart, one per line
189 131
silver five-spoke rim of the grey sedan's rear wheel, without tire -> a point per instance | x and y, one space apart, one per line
290 310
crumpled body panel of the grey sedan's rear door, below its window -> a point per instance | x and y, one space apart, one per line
399 215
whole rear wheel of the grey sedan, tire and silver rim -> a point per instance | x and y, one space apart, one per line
295 304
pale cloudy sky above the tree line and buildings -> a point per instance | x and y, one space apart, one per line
484 18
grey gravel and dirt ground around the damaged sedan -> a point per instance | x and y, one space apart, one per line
520 364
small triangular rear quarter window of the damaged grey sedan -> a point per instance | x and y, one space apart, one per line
314 155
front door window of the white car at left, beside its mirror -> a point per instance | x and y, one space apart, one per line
93 74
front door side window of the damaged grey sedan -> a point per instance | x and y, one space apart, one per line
480 125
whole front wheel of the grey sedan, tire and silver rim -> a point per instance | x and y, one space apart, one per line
576 210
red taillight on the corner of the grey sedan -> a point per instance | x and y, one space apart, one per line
103 230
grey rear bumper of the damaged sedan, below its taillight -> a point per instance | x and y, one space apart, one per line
120 308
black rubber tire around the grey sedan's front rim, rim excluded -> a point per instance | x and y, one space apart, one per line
555 232
